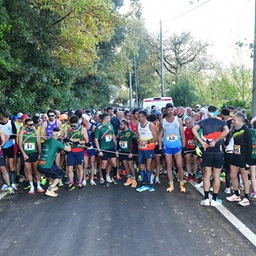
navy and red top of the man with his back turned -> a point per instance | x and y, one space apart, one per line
212 128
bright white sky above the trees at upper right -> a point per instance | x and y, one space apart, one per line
219 22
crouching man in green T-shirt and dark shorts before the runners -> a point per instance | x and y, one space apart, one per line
46 164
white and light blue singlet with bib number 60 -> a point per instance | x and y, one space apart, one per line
171 133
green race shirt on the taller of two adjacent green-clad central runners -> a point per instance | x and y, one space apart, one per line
104 133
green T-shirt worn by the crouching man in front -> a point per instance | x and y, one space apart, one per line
49 150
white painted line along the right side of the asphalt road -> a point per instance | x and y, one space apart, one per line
233 219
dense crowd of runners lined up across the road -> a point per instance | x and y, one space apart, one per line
97 147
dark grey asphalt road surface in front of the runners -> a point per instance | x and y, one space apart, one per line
120 221
